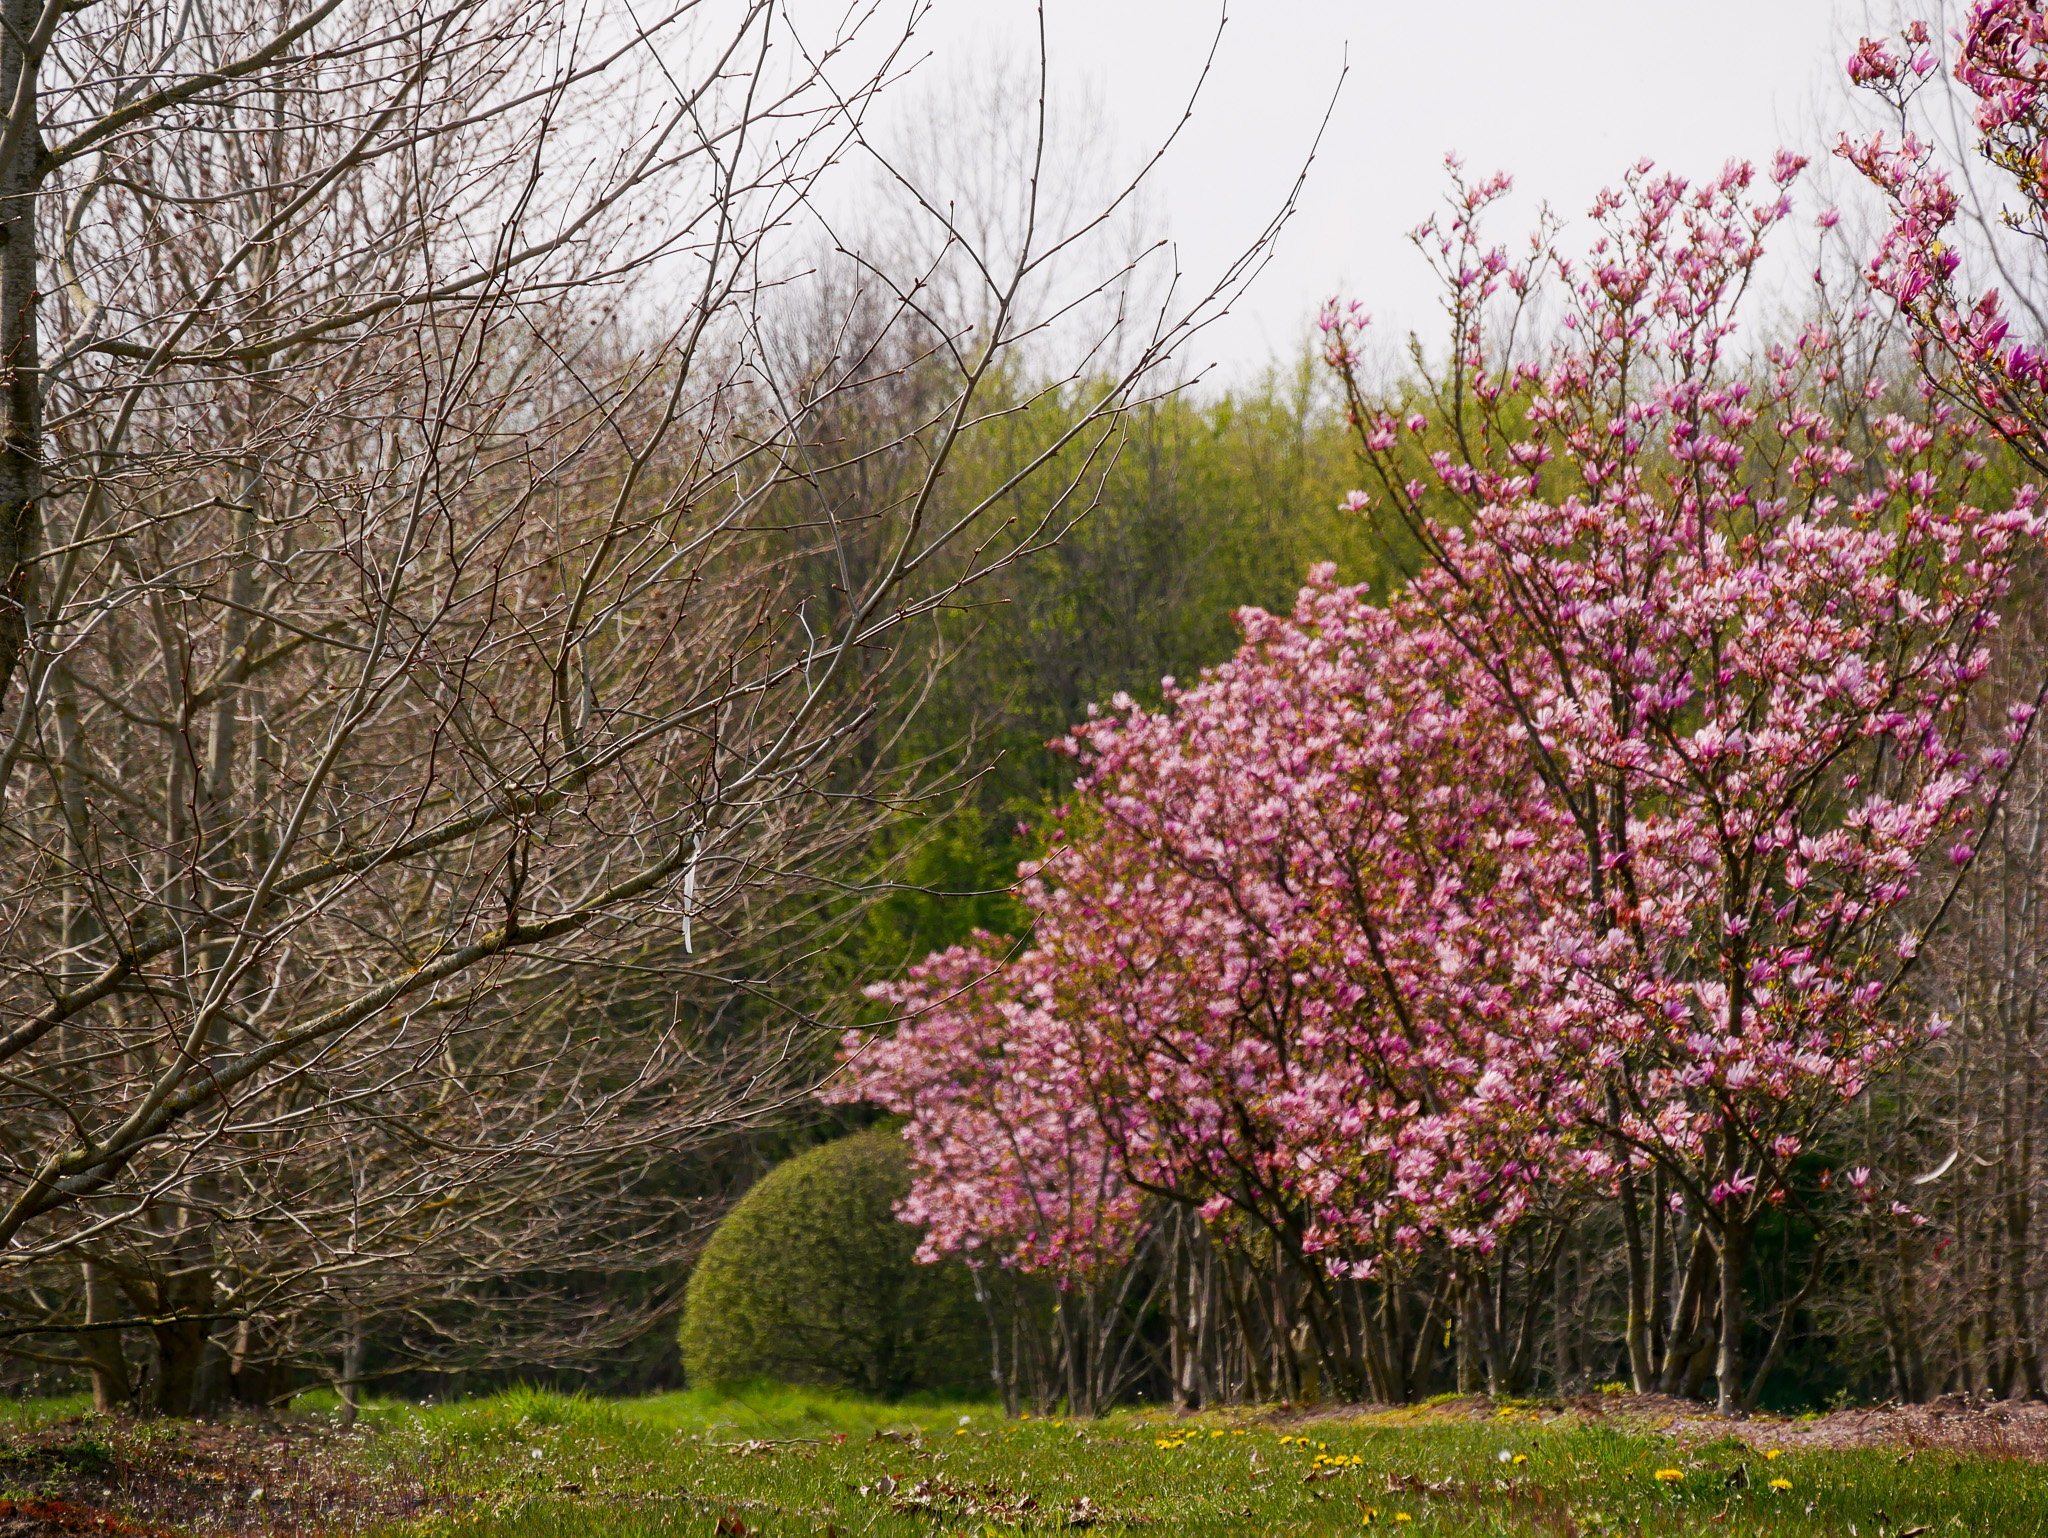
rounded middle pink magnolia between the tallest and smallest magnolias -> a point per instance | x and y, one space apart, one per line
1291 896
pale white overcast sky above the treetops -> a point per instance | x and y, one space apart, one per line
1564 93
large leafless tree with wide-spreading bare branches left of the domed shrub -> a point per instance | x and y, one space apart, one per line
462 581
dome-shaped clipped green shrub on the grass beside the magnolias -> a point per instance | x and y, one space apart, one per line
812 1279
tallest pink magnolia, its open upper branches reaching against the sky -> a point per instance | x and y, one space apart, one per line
1742 660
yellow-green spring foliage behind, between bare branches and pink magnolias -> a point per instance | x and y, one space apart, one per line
1201 509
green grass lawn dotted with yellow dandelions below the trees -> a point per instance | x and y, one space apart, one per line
531 1465
